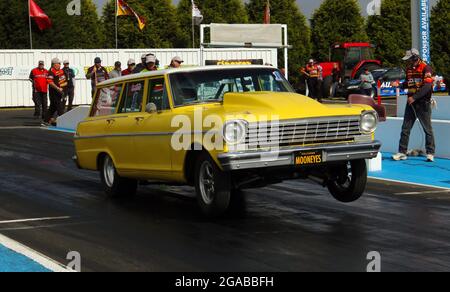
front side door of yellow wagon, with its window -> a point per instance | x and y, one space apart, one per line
153 135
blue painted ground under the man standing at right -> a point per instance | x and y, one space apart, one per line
415 170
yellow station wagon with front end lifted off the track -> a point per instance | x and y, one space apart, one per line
222 130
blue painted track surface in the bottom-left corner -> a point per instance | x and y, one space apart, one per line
11 261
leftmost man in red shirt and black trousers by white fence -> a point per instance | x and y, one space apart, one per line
38 77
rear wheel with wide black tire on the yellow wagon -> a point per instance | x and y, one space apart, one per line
114 185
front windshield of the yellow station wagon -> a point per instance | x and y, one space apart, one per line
211 85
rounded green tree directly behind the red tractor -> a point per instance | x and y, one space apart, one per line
336 21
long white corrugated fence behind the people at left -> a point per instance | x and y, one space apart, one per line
15 66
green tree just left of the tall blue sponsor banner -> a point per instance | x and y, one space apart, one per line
391 32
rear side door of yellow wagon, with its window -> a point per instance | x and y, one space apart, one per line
122 126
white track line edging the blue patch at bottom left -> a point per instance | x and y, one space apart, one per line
45 261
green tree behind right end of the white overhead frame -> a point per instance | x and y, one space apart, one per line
286 12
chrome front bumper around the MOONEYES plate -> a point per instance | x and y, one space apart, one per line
286 156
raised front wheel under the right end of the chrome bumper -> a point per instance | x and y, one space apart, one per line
349 182
